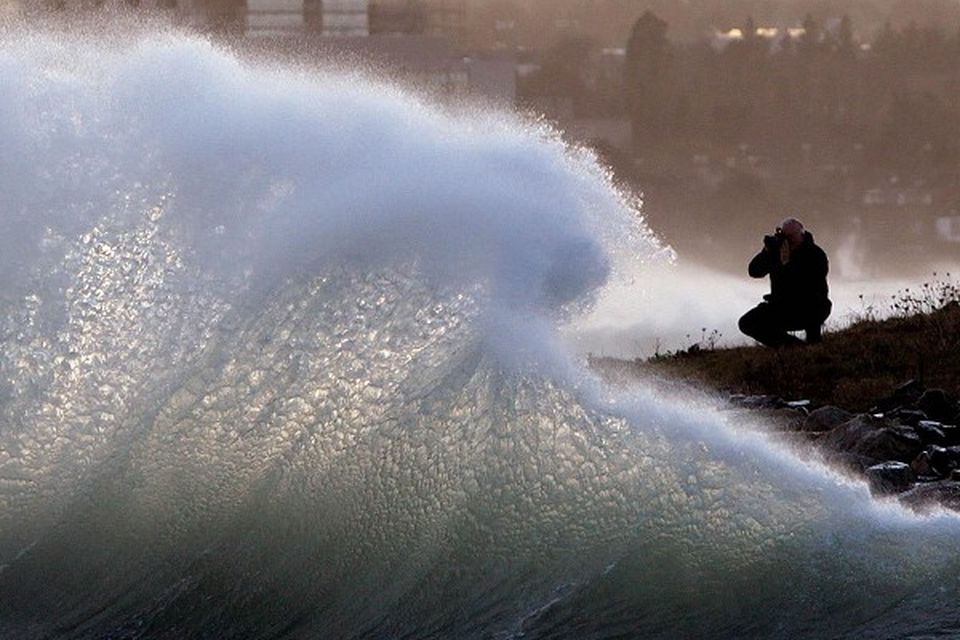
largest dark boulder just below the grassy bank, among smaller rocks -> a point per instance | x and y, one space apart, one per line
875 438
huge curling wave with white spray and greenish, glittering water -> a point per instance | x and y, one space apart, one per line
281 357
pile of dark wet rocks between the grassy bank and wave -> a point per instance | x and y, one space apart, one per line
907 446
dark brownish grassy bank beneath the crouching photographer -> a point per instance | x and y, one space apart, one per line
917 337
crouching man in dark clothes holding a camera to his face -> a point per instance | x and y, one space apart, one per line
798 288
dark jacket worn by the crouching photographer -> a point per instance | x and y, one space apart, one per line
800 286
